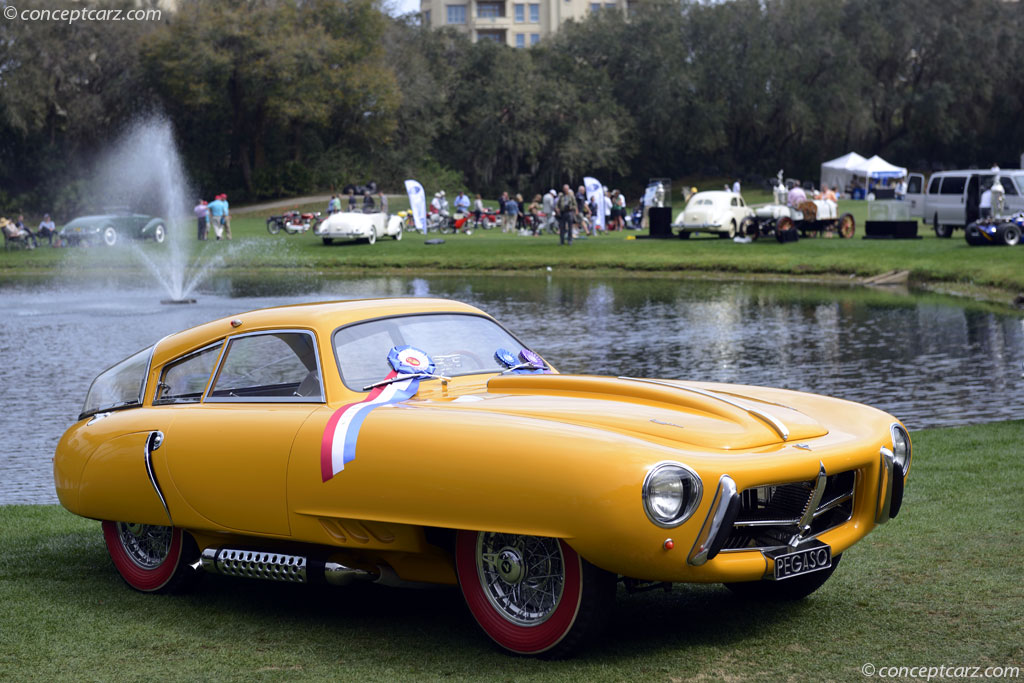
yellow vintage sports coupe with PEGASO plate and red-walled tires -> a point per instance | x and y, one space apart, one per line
412 442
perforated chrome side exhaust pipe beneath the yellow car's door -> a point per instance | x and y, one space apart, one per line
279 567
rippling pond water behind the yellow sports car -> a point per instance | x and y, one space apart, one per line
929 360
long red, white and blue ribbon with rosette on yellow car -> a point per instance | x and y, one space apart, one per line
338 445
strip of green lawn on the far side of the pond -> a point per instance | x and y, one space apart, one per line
930 261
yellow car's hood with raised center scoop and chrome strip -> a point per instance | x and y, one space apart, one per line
671 412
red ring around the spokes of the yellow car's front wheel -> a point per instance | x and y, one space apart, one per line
515 637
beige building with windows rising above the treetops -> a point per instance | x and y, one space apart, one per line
511 22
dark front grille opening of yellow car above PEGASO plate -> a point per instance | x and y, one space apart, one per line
770 516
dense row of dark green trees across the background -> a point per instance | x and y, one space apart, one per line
273 98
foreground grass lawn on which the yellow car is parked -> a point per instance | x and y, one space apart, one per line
941 585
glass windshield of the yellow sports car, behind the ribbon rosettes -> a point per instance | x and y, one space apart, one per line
459 345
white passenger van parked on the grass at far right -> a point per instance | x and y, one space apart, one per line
953 197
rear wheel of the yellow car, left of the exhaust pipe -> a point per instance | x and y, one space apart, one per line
150 559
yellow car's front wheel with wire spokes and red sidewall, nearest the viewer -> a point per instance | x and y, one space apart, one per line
533 595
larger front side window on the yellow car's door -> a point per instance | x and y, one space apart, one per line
274 367
